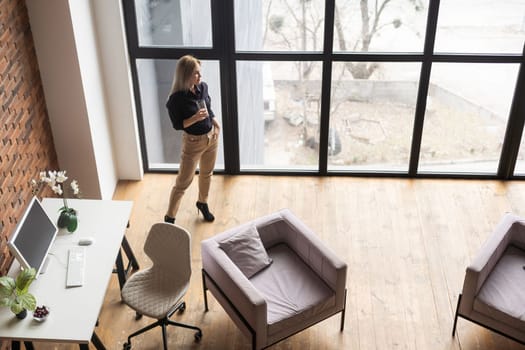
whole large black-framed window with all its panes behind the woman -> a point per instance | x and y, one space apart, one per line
406 87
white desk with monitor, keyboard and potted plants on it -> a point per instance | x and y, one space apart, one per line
74 311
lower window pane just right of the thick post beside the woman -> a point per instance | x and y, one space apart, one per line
278 108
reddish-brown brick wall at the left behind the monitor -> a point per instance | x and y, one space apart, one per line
26 143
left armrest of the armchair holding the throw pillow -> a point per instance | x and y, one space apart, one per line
235 286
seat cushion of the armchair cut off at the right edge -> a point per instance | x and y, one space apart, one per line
502 296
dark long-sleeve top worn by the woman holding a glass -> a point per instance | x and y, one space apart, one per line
183 104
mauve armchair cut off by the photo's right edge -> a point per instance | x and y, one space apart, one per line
493 293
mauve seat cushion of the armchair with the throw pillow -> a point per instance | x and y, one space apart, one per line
292 290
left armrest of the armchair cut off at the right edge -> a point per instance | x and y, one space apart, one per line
490 252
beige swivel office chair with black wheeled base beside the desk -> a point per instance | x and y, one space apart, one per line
157 291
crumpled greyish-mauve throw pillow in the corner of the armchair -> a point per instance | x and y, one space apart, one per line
246 251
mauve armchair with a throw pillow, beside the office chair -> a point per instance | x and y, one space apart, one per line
301 282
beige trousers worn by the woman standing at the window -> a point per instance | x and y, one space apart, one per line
196 150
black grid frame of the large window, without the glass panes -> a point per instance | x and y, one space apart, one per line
223 51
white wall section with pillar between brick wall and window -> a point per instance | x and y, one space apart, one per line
88 91
